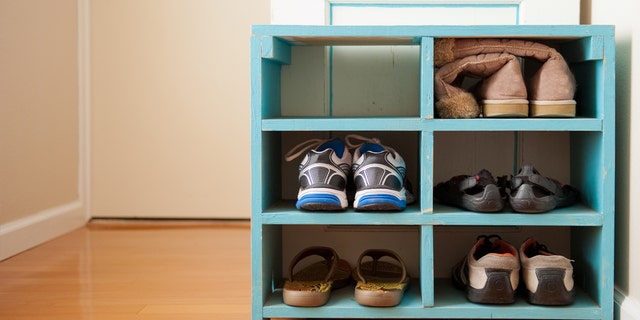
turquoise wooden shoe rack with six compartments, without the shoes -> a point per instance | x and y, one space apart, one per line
317 82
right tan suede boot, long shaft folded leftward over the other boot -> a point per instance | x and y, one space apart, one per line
551 88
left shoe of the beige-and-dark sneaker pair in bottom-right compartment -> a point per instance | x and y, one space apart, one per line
490 273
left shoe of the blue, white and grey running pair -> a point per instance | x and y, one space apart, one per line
323 174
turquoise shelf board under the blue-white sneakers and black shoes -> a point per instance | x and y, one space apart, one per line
285 213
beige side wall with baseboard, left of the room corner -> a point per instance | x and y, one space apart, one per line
39 127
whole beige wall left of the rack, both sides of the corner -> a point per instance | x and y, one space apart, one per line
122 108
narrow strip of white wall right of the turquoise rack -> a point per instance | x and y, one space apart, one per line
624 15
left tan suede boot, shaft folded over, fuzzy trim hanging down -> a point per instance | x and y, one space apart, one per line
501 92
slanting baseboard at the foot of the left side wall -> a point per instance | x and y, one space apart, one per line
26 233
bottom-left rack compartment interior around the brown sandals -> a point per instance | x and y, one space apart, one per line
349 247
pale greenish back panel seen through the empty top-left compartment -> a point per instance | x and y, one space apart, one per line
352 81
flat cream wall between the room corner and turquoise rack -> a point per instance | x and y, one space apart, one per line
170 107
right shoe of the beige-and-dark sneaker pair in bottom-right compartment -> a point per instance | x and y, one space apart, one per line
548 277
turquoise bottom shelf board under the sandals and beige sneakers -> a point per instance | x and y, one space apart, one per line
450 303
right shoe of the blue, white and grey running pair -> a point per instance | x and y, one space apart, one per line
379 174
